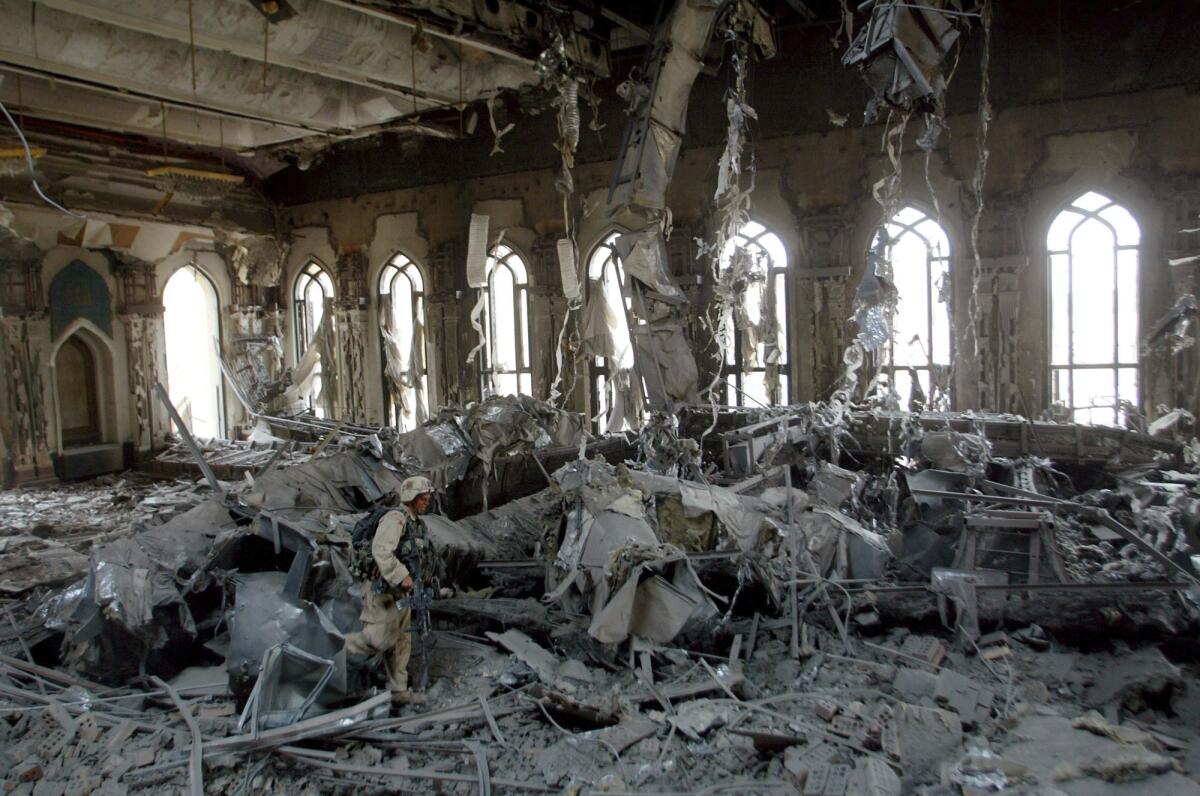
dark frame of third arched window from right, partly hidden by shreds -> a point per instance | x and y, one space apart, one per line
733 366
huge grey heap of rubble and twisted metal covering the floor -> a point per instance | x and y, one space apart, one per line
819 600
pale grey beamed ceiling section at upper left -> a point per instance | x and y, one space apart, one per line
328 71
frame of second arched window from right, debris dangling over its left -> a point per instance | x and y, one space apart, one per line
932 295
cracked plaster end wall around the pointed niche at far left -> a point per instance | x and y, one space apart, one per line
131 355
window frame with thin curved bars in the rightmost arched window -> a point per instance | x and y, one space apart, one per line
1115 366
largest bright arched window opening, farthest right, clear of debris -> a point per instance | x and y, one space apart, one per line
1094 250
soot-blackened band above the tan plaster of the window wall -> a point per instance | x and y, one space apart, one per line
1053 67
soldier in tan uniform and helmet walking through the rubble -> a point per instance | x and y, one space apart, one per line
399 547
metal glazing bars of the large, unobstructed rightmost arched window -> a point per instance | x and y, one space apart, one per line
1069 369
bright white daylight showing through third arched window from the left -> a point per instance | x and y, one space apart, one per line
403 282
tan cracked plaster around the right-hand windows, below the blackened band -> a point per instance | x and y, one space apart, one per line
814 191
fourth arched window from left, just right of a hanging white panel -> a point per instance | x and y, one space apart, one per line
506 364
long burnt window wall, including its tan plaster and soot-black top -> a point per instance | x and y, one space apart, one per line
1072 113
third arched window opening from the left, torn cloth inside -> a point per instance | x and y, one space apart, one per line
403 337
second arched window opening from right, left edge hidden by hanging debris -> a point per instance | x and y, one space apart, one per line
920 254
